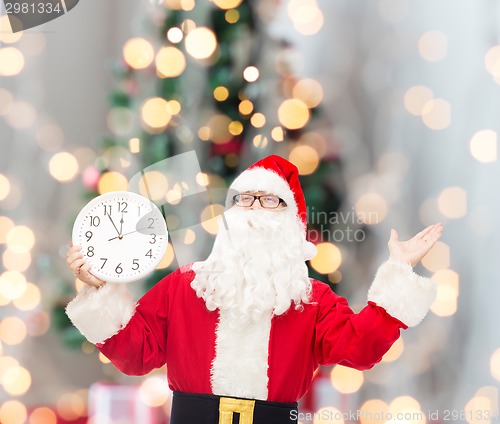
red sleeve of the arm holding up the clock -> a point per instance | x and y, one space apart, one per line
140 346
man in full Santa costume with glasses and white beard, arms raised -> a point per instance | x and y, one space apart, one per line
242 332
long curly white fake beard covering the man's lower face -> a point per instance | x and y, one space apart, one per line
257 266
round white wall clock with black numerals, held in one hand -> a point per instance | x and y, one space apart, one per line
123 236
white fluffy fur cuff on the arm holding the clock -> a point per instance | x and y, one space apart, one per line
101 313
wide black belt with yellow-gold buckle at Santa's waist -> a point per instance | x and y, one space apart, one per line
190 408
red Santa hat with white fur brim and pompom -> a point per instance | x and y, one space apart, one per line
276 175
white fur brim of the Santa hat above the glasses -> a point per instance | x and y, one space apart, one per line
262 179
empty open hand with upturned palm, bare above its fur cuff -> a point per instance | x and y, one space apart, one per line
413 250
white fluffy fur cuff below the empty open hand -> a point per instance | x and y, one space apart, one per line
402 293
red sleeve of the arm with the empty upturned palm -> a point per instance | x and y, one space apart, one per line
354 340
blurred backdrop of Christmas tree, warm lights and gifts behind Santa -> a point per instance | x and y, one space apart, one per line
389 108
